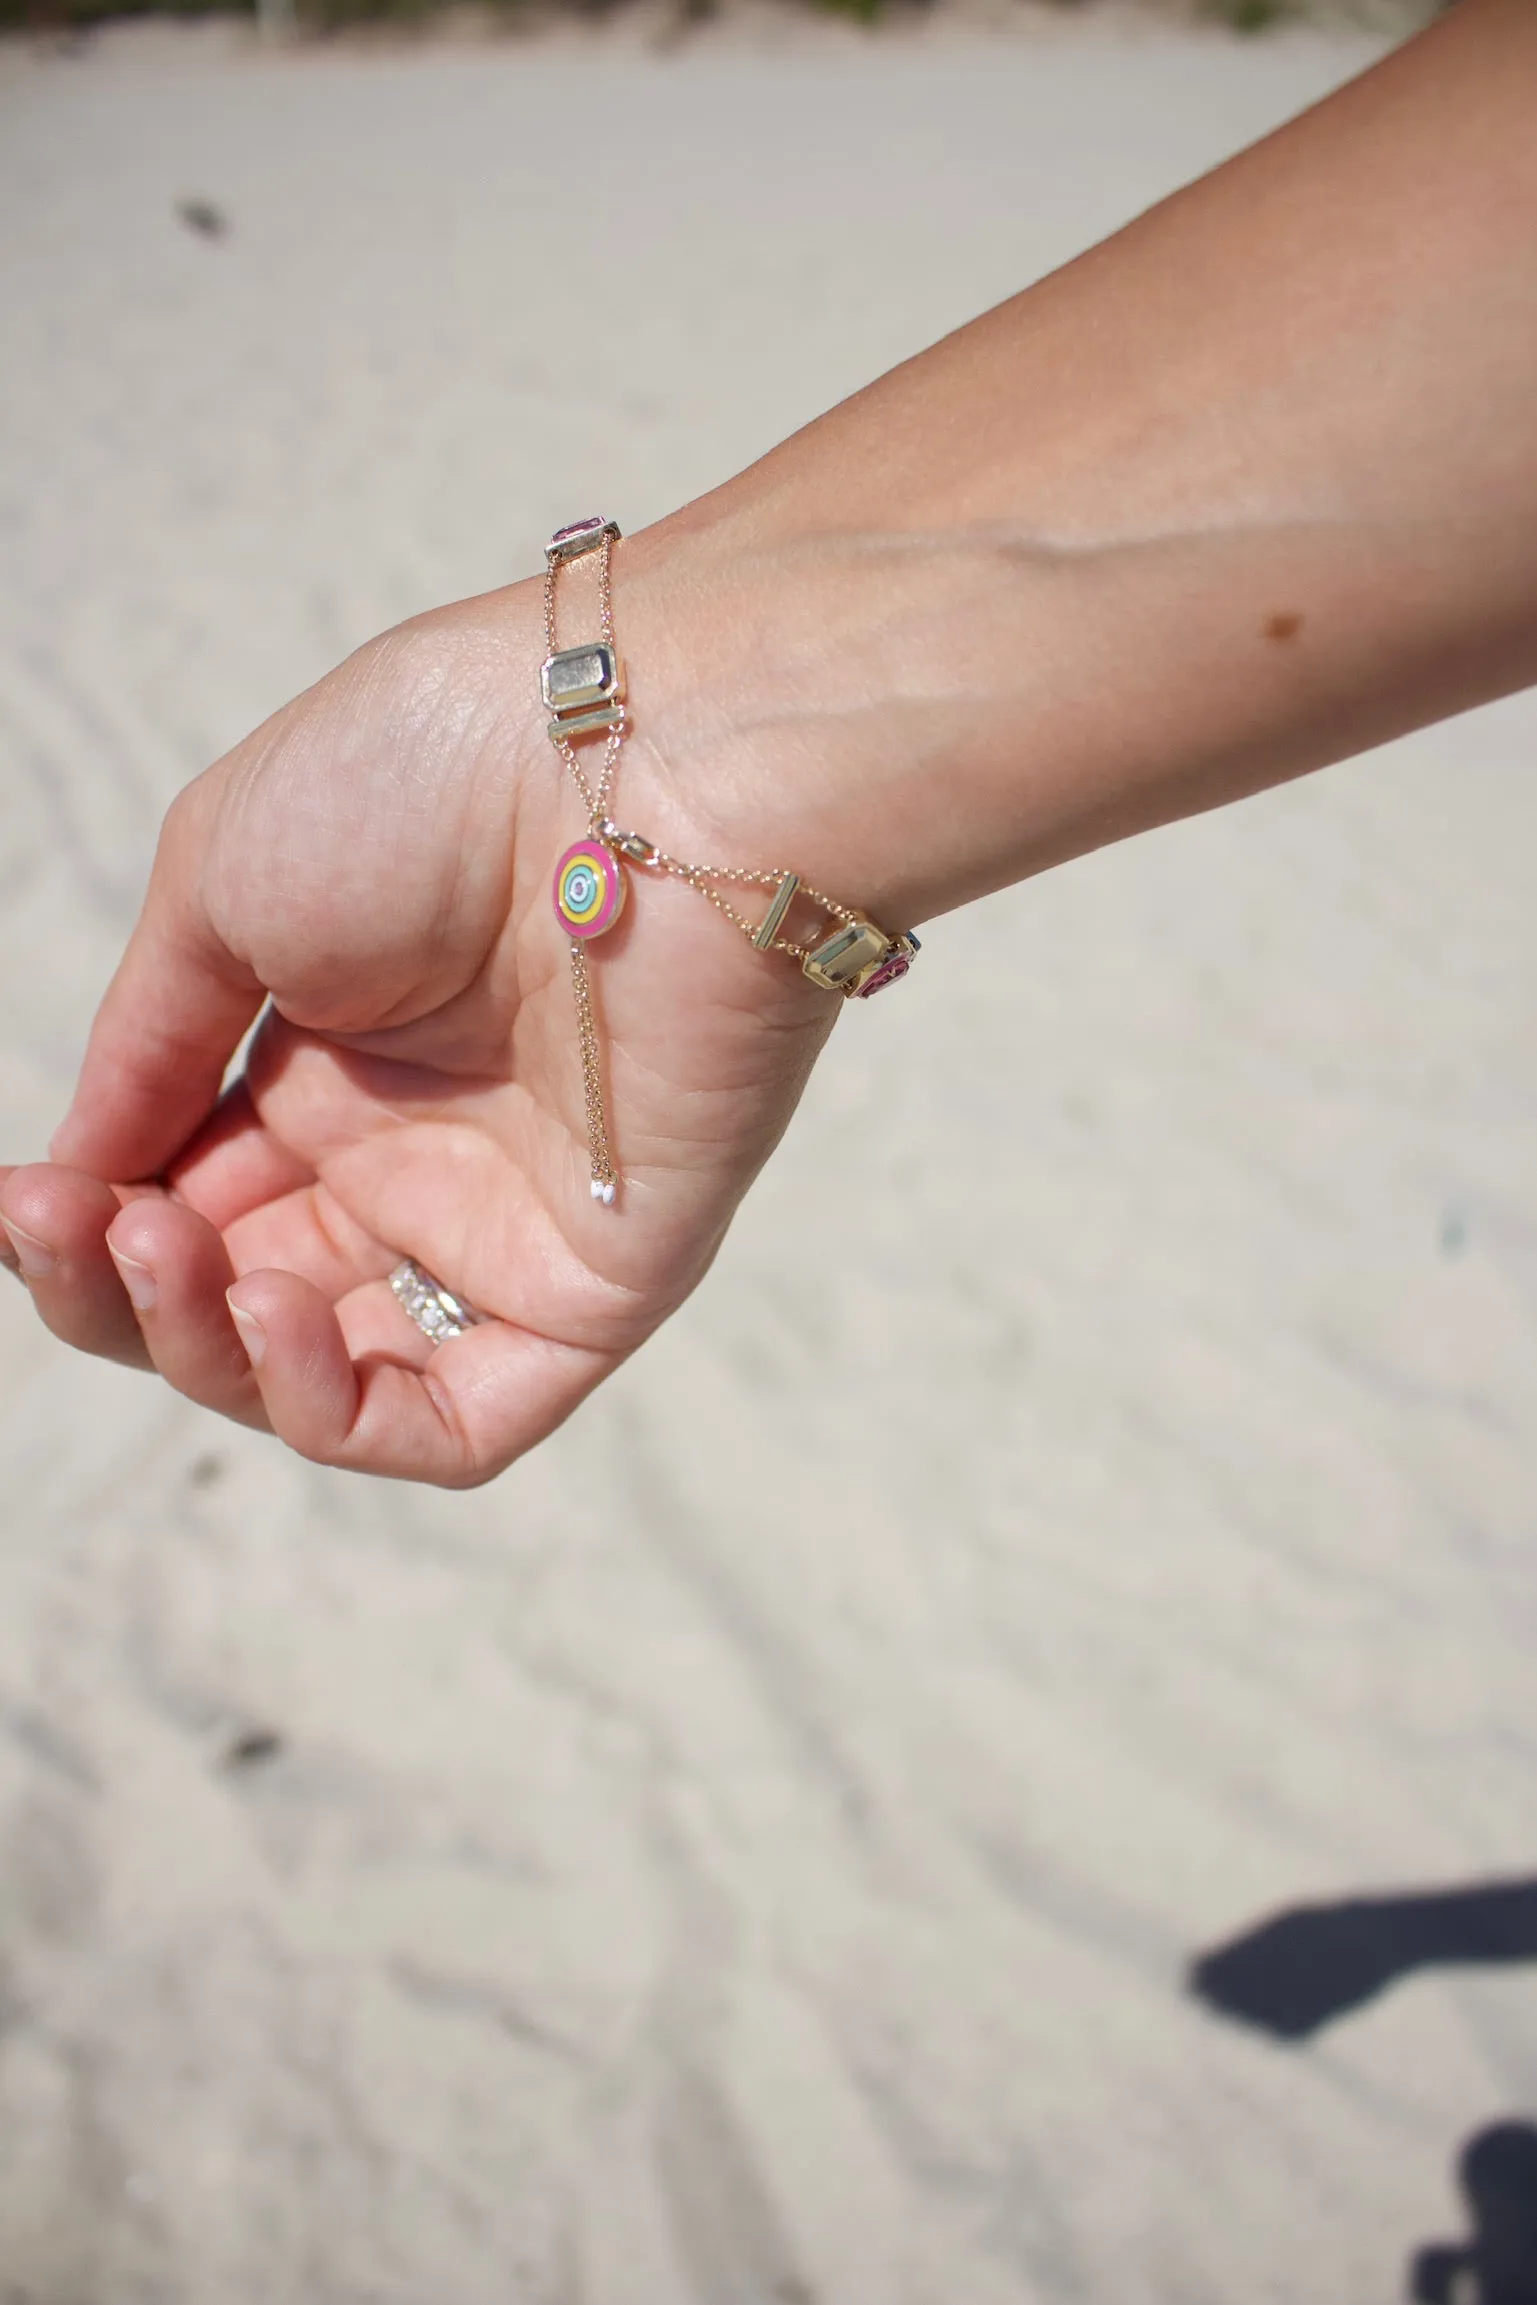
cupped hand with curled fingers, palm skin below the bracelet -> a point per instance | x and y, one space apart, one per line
377 863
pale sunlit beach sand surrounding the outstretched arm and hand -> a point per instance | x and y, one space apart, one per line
752 1852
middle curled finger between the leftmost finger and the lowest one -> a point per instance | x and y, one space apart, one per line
176 1271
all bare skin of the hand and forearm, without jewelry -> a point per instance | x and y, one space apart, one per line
1245 490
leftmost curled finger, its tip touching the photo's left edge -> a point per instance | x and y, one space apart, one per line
56 1223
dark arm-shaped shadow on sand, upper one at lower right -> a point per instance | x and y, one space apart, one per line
1303 1970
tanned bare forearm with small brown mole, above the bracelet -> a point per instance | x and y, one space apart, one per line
1241 492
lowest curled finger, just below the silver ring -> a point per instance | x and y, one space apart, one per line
457 1421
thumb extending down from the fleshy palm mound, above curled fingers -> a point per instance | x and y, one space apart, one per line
169 1022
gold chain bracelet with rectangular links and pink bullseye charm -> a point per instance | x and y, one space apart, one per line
584 693
